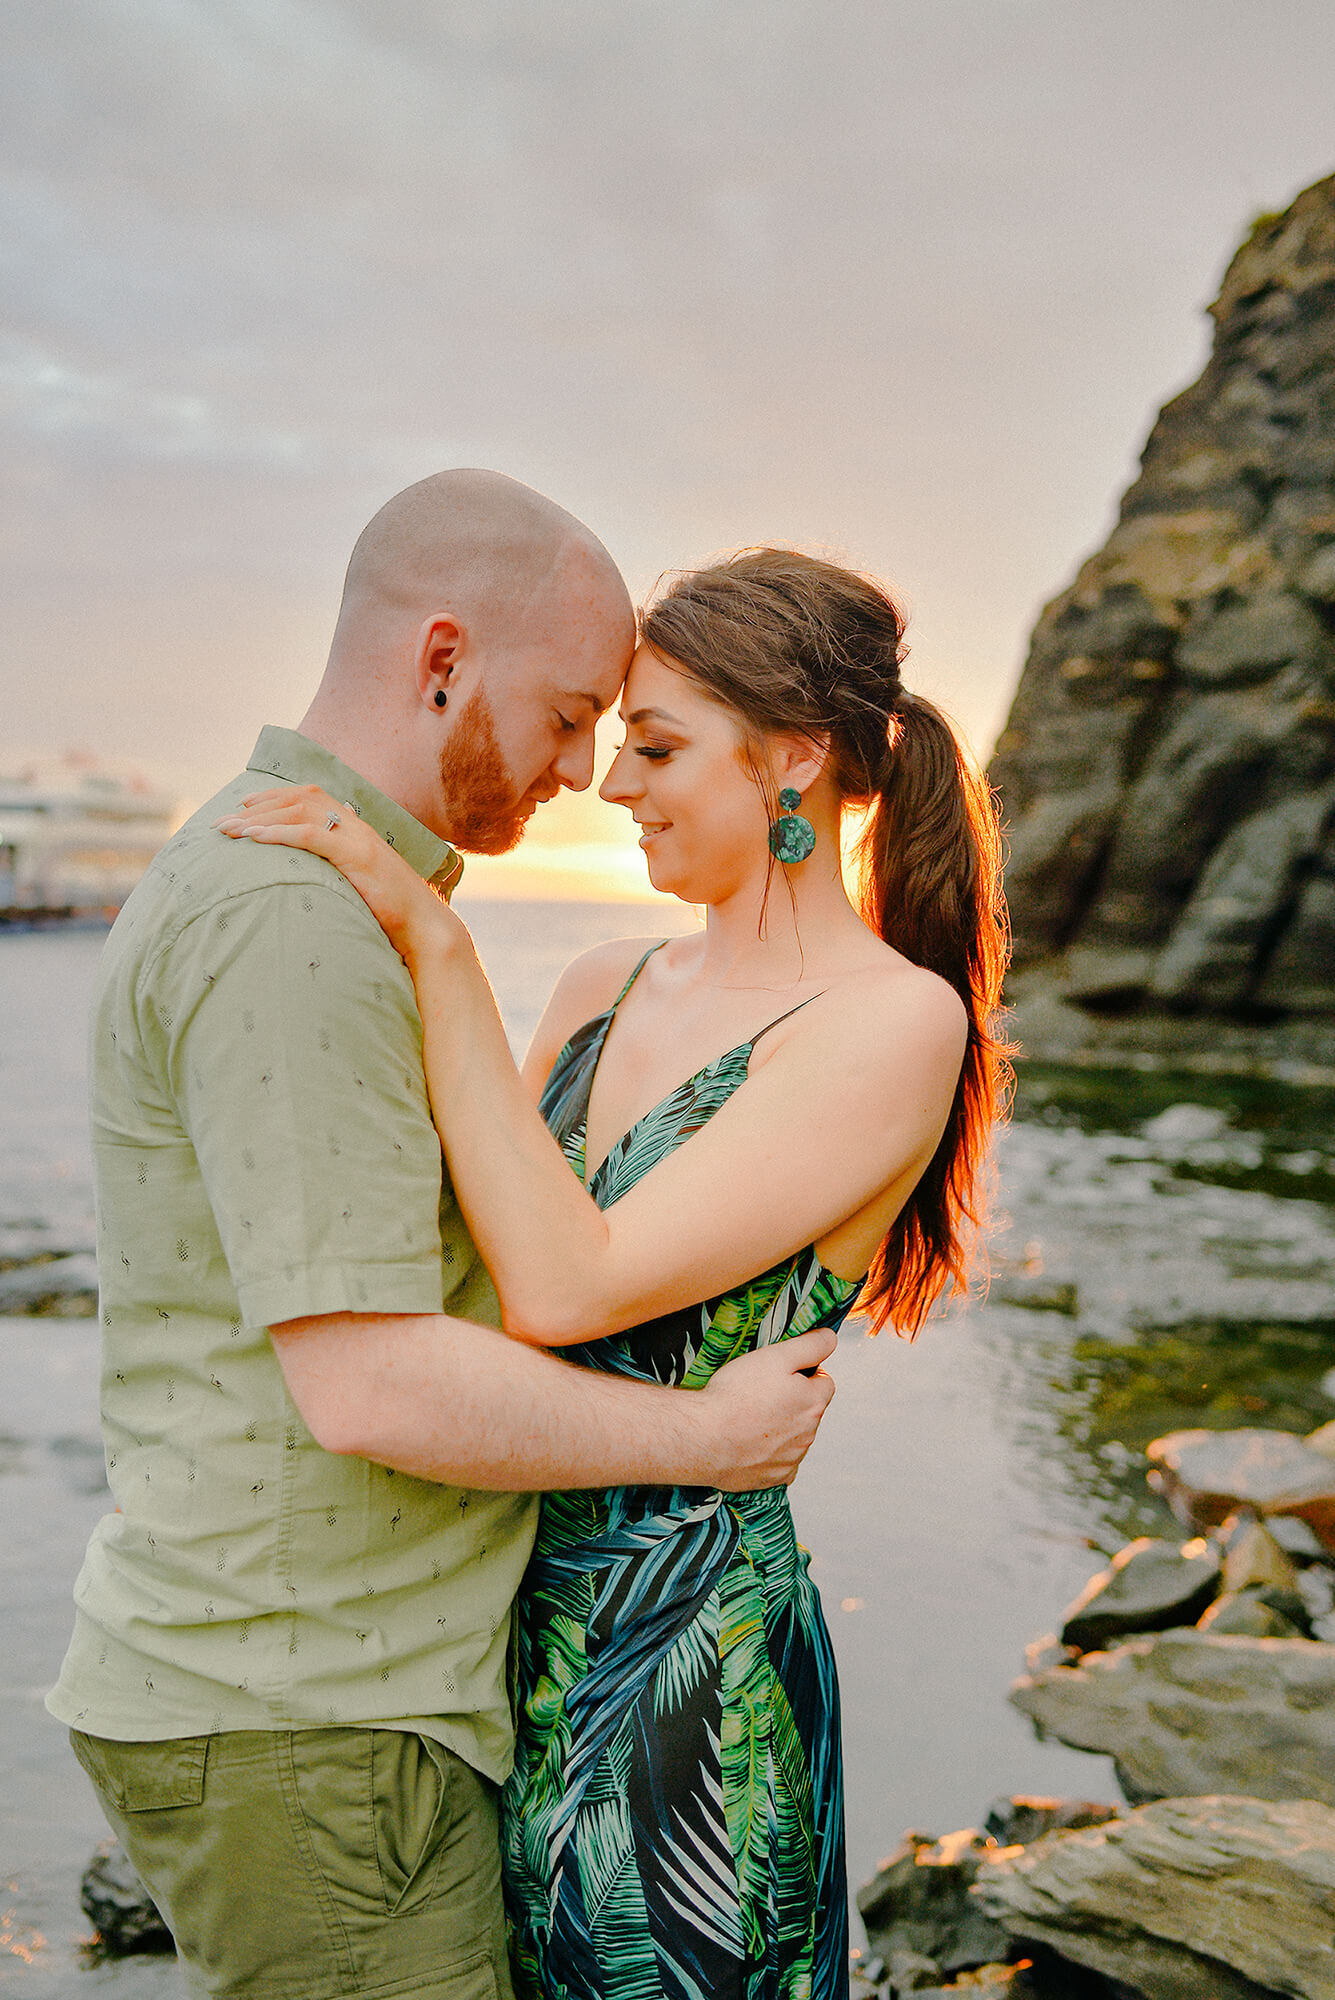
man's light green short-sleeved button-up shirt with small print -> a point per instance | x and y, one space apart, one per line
265 1151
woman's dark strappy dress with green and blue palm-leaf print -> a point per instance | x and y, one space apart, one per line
674 1825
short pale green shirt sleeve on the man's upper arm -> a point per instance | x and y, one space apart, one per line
295 1059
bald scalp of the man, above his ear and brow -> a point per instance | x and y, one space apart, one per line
477 545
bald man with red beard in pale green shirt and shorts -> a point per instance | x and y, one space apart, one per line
289 1667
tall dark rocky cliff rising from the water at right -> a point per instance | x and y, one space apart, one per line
1168 767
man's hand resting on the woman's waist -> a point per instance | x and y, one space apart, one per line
762 1413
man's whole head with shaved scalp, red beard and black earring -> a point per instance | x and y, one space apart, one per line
481 635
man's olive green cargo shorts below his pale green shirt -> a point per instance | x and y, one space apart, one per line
315 1865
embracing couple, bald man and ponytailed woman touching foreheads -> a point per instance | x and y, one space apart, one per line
367 1715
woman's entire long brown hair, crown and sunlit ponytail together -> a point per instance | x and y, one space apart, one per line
796 645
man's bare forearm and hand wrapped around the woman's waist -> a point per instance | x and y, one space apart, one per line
469 1407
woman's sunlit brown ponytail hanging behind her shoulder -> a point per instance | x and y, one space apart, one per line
930 861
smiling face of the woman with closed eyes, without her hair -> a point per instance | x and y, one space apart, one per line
682 775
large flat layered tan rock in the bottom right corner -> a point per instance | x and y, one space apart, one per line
1186 1899
